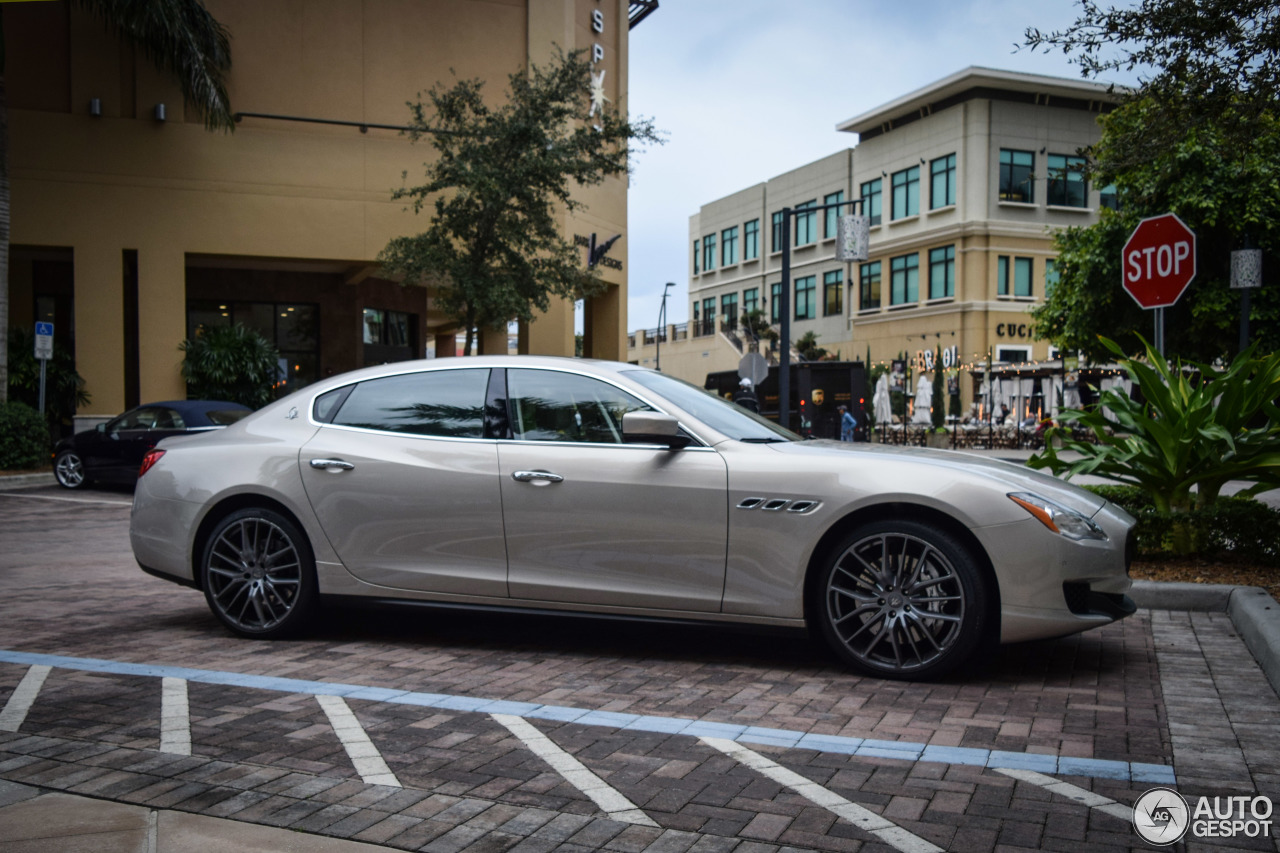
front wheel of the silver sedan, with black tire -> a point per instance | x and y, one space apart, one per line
903 600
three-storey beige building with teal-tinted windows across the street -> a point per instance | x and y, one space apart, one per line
964 183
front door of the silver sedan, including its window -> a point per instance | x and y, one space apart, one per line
592 521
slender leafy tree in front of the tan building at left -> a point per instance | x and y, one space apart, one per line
499 188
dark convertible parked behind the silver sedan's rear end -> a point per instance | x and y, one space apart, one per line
113 453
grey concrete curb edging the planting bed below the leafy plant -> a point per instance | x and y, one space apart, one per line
1255 614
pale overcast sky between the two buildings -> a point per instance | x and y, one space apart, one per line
747 90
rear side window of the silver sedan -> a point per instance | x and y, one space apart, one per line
447 404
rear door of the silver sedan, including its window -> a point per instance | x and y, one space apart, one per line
405 483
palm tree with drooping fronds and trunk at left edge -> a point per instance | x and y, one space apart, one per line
181 39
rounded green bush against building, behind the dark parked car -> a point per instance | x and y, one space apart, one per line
231 363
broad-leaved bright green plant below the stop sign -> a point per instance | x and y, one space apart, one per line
1196 428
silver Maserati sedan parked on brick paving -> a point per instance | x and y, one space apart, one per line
540 483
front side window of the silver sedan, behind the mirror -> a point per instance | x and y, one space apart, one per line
552 407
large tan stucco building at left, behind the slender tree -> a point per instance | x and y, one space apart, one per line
130 230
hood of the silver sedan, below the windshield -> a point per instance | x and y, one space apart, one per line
1011 476
